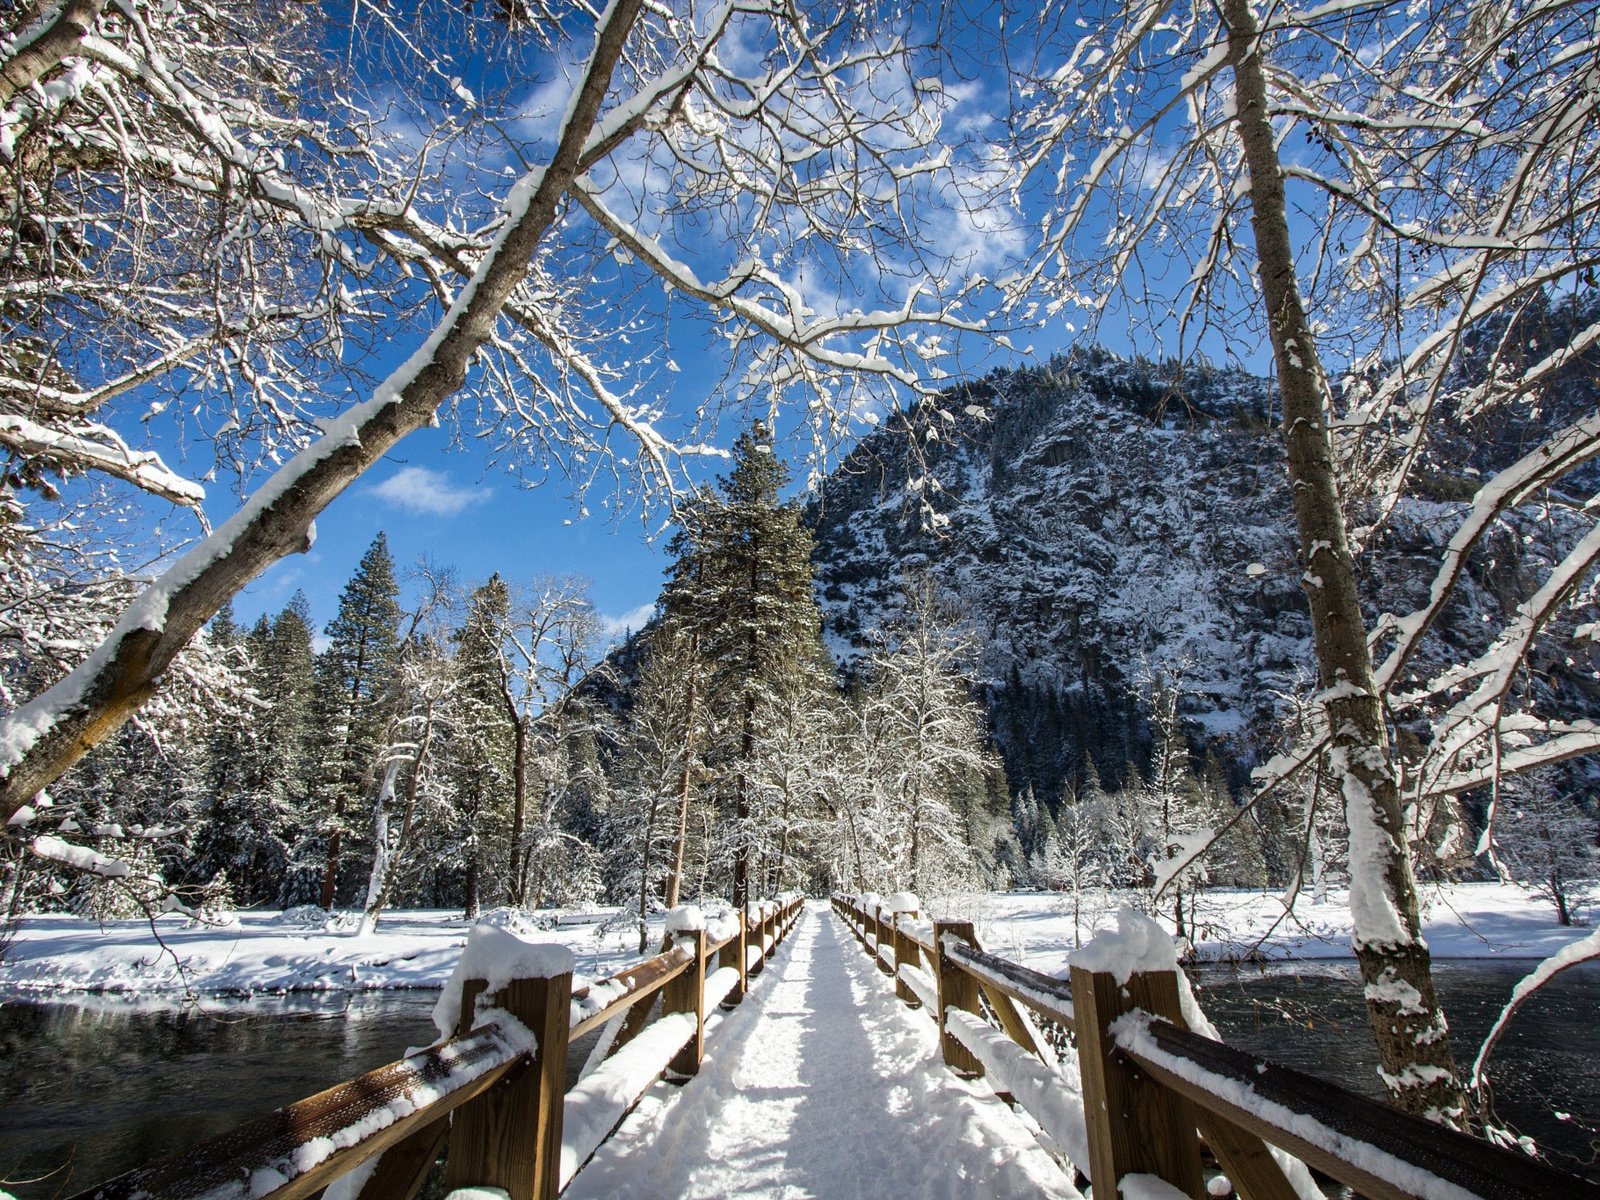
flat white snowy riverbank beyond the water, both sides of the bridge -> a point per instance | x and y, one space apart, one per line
274 953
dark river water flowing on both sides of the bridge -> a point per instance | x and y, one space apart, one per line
94 1090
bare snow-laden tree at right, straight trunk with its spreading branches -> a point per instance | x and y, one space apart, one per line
1409 178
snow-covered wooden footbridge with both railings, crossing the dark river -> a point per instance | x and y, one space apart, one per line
807 1073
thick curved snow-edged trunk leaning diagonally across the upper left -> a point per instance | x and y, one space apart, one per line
50 734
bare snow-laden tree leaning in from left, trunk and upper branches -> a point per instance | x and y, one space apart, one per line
778 129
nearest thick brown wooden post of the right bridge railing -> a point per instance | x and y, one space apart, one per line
1135 1126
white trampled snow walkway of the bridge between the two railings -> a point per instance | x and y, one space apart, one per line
822 1086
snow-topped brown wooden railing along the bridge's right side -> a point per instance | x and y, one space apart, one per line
1116 1079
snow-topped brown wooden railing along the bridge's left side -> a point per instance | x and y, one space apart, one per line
497 1089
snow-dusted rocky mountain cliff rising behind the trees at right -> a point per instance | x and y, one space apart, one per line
1100 521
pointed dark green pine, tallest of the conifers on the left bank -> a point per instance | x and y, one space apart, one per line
353 679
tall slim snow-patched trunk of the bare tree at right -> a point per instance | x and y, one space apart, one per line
1414 1041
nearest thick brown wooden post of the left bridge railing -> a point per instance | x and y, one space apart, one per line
511 1137
